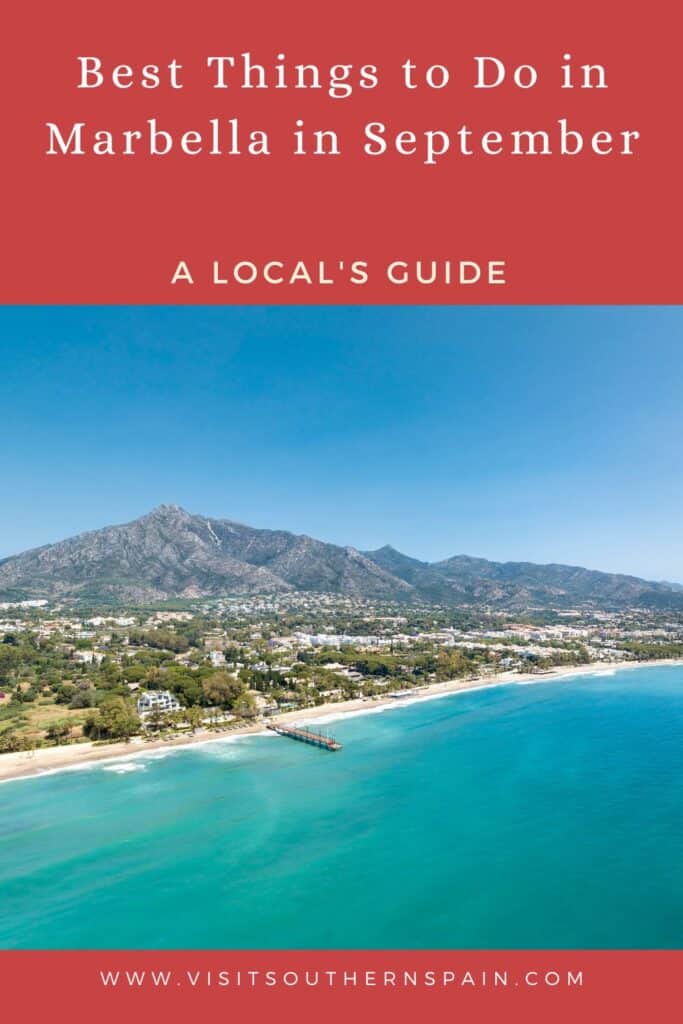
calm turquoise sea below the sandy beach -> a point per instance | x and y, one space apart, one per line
544 816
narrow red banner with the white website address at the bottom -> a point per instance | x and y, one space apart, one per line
479 988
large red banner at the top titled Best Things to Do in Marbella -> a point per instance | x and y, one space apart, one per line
431 199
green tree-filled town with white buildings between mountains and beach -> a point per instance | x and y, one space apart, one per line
69 674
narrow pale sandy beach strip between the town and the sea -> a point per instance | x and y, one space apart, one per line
50 760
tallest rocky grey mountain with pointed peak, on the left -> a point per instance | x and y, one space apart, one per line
170 553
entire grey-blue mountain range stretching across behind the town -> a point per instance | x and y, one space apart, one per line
173 553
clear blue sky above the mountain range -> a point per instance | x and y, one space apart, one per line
541 434
